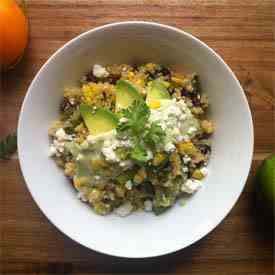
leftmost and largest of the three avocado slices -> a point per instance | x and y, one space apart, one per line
98 121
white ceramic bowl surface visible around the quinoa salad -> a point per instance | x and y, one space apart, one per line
138 235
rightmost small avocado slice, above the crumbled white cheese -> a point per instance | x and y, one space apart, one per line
157 91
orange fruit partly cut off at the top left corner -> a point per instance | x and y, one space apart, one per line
13 33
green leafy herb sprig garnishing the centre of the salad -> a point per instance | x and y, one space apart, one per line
141 132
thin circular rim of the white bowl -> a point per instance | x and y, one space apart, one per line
167 28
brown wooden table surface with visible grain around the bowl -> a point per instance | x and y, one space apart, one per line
242 33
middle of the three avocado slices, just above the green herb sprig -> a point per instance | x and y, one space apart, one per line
126 94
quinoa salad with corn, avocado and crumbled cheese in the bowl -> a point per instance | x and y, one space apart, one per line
133 138
